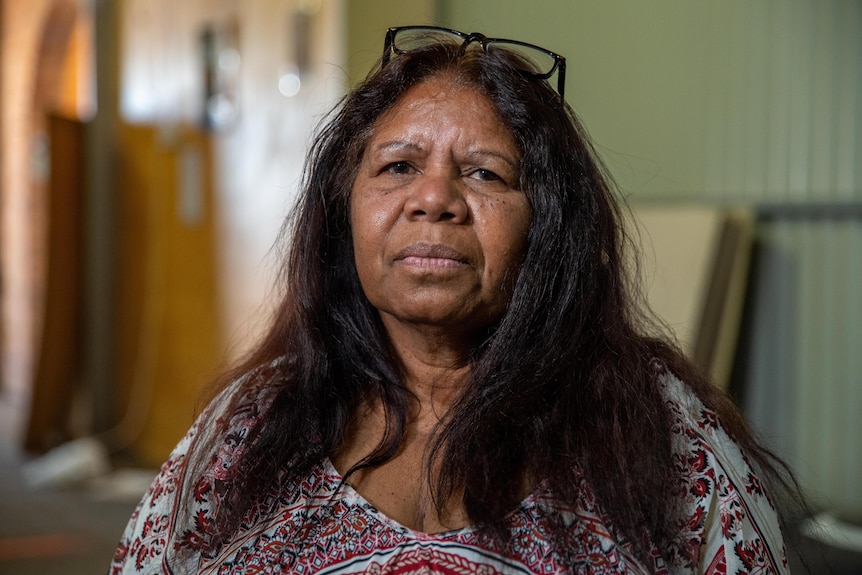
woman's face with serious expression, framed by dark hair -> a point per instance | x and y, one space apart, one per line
439 223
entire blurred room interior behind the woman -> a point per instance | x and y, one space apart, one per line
150 149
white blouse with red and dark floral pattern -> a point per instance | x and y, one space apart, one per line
320 525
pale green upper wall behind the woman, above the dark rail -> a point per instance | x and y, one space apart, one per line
720 101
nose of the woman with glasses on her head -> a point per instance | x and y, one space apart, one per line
437 198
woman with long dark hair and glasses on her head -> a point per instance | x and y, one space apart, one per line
456 379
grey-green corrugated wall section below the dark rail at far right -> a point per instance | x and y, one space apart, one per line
801 365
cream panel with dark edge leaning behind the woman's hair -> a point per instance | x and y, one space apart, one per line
695 261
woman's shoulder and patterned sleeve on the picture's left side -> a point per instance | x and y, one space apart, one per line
174 513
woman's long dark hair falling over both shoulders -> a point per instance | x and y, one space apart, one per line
569 378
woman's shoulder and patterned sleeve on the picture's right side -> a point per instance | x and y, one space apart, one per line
729 523
